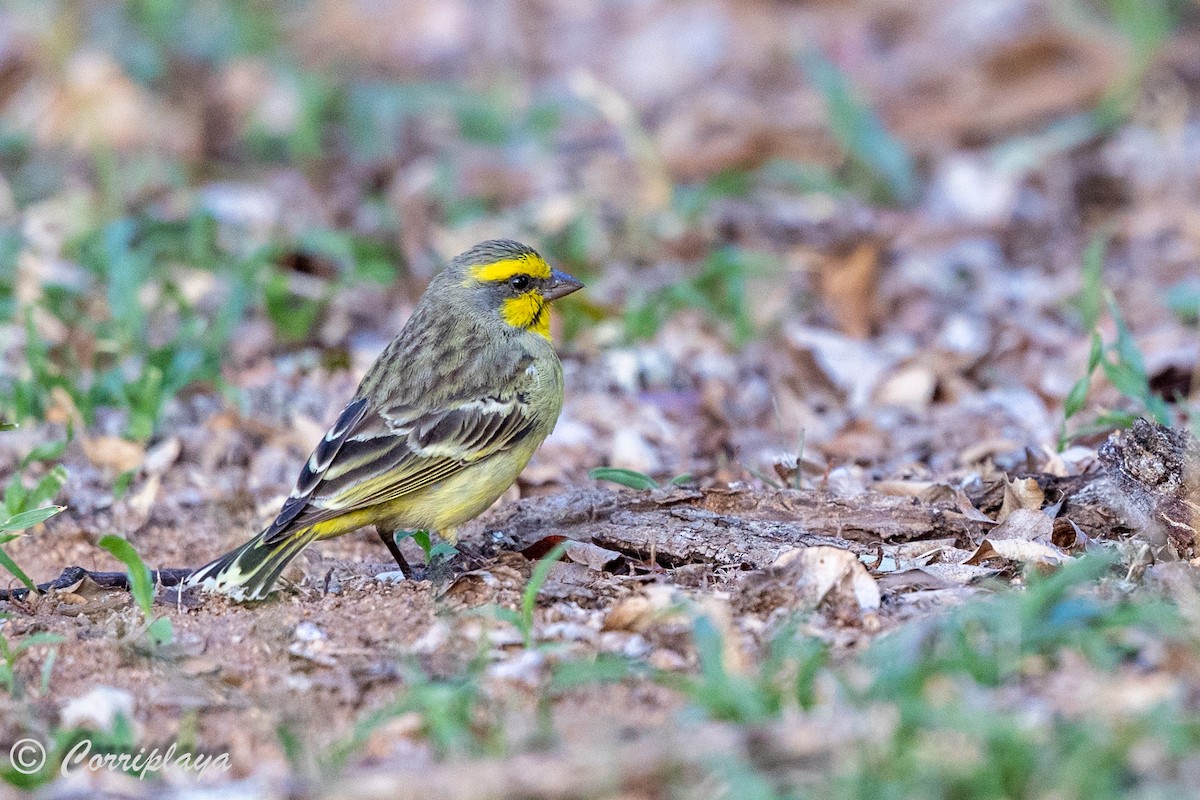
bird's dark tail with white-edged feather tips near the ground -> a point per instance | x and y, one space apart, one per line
250 572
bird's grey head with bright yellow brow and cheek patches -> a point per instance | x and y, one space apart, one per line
512 281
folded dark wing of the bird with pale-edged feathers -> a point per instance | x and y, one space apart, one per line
371 458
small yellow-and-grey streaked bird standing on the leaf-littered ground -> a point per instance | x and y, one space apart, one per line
441 426
